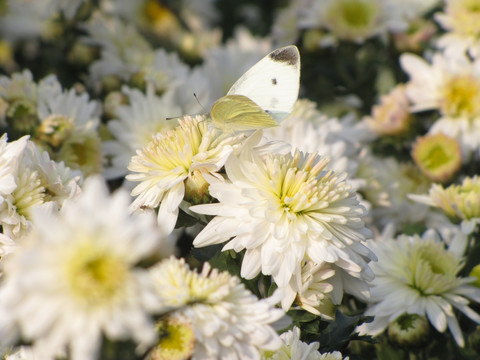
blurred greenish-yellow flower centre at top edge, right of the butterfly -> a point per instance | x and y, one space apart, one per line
347 16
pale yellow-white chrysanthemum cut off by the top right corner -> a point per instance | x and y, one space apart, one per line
460 18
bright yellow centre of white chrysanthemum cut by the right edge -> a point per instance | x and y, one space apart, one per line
461 97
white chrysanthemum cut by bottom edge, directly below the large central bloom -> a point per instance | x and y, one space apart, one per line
228 320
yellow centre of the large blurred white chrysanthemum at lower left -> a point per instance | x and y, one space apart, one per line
95 275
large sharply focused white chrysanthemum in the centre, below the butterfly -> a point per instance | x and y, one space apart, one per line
282 209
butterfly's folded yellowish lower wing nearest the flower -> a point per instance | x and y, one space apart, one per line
239 113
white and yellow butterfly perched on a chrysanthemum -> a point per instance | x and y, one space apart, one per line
263 96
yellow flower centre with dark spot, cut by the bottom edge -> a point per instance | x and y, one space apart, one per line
177 341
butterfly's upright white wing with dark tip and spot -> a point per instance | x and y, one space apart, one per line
273 82
